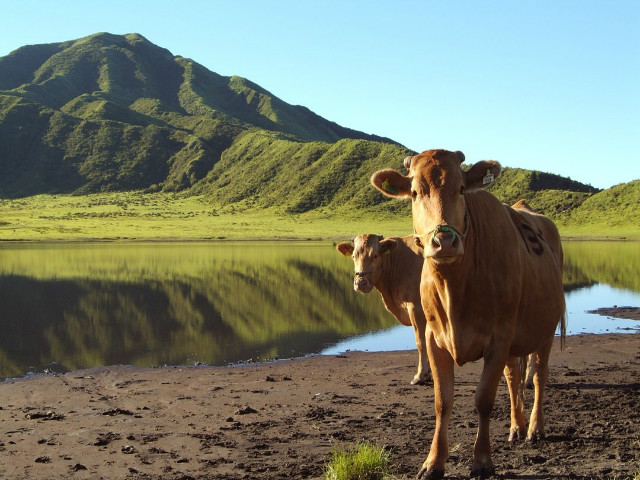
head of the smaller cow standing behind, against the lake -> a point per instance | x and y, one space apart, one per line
367 251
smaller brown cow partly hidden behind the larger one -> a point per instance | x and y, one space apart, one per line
393 267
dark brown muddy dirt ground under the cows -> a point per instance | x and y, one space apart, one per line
283 419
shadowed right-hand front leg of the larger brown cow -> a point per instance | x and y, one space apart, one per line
494 363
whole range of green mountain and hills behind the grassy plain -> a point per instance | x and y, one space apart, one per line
117 113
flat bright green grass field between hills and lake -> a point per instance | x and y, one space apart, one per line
161 216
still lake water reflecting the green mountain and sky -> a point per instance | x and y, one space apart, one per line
71 306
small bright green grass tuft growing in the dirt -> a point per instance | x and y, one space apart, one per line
363 461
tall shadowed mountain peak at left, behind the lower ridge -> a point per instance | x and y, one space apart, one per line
110 112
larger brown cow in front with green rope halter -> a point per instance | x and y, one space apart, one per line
491 288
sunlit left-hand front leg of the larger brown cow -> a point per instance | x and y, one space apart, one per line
442 370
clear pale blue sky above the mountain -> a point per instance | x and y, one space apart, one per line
551 85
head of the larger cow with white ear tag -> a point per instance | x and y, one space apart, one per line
437 186
